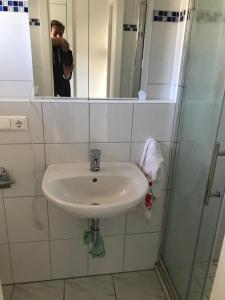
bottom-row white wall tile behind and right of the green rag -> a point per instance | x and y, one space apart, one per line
112 261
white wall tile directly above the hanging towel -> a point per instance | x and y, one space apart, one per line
153 120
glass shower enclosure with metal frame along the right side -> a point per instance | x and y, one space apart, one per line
195 216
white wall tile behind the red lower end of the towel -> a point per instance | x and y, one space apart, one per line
138 223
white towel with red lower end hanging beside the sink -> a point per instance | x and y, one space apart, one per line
152 165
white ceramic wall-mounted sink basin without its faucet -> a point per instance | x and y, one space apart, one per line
115 189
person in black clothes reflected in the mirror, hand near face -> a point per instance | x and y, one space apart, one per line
62 60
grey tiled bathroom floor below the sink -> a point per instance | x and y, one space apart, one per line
142 285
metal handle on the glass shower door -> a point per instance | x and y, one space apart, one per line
209 194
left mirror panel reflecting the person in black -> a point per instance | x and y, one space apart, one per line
59 38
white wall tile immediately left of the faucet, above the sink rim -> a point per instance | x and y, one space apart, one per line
66 153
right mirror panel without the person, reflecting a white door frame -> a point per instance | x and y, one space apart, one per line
114 26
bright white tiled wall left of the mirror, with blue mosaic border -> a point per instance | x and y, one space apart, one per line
16 76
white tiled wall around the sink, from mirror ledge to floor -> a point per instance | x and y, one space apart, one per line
37 240
